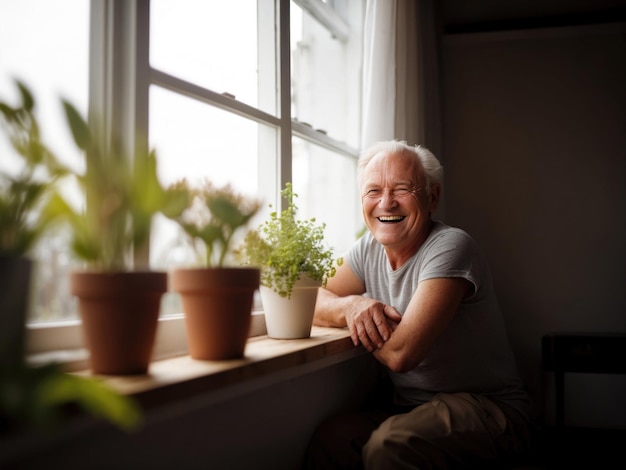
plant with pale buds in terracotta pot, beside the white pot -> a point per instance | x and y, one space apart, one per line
217 298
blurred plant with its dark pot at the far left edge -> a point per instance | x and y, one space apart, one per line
34 397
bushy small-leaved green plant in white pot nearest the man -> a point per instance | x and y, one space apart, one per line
294 263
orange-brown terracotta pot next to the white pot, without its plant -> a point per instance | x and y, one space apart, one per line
217 303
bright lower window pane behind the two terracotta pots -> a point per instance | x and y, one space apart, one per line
196 141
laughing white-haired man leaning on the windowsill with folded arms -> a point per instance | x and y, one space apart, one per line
418 295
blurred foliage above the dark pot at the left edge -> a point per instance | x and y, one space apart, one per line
24 193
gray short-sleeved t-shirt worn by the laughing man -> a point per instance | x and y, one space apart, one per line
473 354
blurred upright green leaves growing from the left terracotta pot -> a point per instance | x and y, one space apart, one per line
122 194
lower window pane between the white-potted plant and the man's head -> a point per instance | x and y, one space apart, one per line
321 179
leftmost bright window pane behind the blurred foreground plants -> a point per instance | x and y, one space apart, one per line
53 66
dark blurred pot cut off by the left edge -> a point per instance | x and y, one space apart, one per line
15 274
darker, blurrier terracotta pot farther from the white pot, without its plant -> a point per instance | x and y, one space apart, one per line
120 313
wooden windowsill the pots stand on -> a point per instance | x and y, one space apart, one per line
265 361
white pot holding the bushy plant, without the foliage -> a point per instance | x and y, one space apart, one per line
290 318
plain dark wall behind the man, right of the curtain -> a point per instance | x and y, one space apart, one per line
534 145
